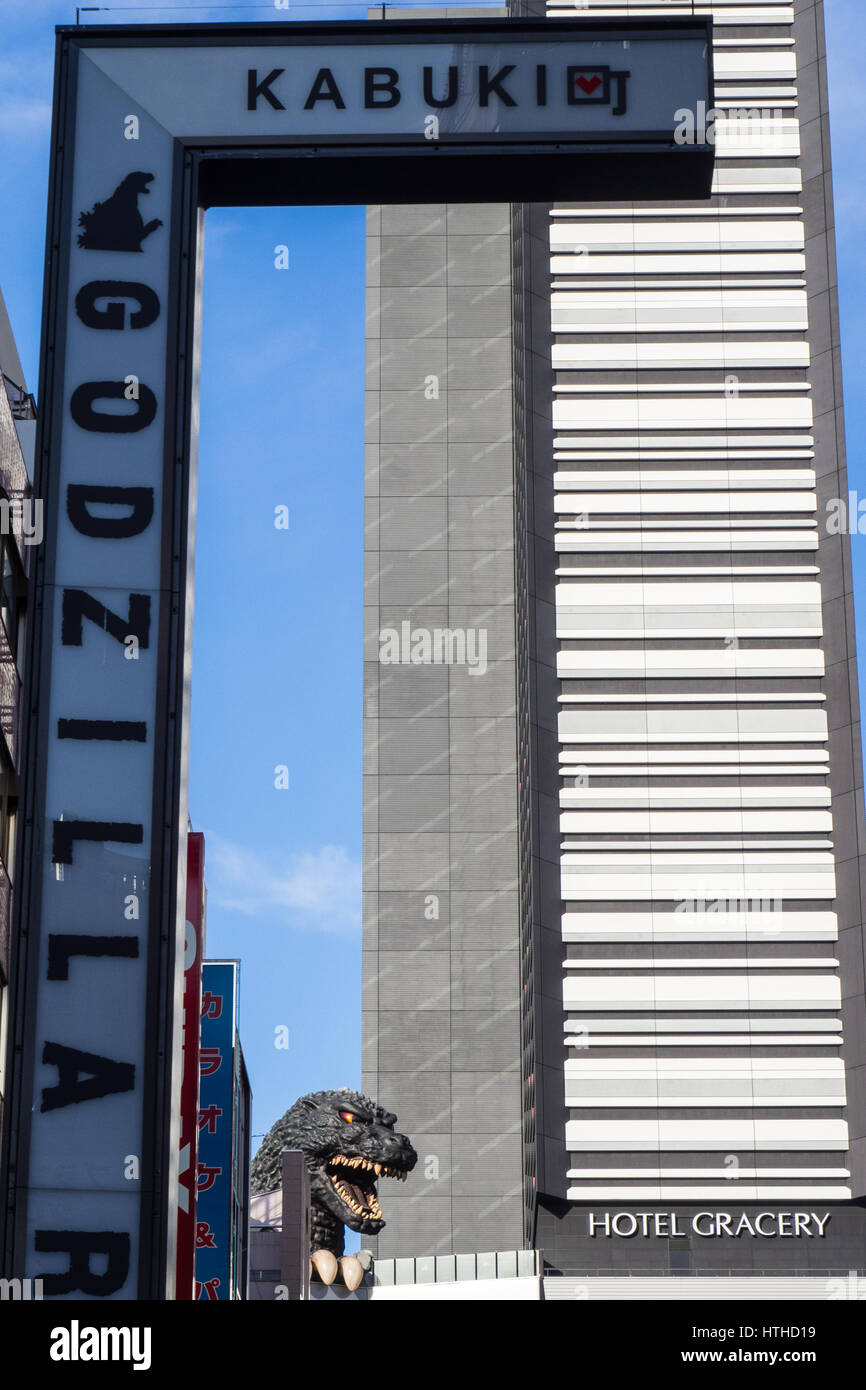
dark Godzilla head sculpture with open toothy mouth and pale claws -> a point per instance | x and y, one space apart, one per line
350 1143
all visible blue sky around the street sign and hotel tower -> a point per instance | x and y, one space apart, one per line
281 426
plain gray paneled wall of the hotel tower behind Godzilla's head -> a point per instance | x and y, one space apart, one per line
441 893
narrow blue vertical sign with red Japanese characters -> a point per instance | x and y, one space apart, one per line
216 1143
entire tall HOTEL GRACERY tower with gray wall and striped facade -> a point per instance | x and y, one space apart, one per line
614 871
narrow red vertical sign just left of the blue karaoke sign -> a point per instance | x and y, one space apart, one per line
194 954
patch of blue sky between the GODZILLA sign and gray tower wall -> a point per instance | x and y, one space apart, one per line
277 654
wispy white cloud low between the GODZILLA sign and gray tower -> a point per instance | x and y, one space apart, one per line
315 892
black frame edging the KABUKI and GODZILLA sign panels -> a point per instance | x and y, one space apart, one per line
206 174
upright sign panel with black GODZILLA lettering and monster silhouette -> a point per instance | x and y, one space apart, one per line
88 1131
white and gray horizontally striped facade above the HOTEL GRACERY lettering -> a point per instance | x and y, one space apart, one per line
697 849
